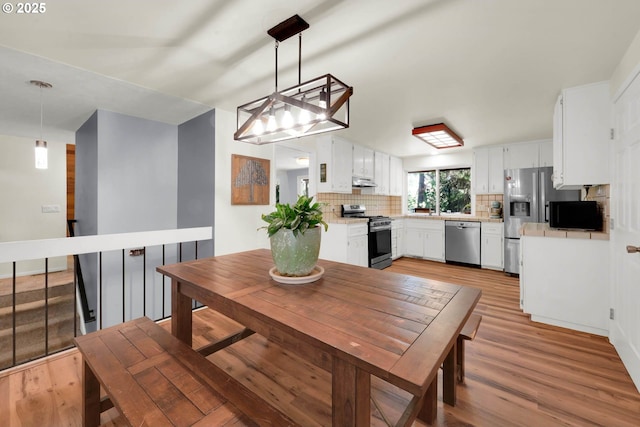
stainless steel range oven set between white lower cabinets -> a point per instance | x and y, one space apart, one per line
379 235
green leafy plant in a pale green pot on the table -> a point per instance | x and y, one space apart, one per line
294 235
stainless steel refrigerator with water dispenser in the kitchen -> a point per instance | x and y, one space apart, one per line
527 193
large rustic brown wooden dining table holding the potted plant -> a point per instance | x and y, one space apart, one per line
354 322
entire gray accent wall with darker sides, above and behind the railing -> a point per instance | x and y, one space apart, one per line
133 175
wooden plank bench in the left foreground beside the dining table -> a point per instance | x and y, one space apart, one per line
153 379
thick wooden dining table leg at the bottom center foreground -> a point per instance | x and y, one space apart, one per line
351 395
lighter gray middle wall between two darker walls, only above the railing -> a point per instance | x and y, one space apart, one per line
137 174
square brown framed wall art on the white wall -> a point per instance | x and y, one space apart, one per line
249 180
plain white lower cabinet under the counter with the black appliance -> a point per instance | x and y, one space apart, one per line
564 282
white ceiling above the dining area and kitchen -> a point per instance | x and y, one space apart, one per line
490 69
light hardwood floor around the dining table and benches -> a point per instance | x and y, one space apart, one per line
518 373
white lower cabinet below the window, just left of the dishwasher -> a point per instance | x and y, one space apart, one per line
424 238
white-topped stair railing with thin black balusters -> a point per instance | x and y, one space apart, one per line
137 243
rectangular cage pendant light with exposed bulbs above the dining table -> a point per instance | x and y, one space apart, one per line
315 106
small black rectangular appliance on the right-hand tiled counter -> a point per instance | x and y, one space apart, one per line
583 215
